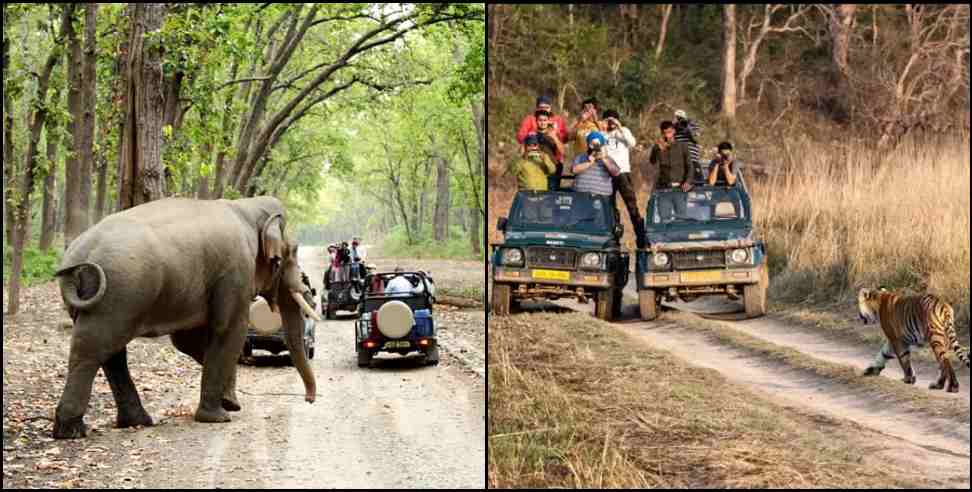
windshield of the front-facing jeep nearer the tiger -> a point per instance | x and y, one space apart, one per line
705 205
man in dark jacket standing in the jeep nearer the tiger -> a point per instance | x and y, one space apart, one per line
674 162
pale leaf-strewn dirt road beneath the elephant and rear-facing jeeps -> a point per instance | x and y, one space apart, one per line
397 424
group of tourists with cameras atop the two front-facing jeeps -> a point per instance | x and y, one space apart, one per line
597 150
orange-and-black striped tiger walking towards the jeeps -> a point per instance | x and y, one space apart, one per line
913 321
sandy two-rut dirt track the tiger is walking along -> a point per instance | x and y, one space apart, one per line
937 448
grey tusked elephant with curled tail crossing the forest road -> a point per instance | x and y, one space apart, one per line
184 268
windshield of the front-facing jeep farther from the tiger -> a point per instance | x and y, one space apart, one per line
582 213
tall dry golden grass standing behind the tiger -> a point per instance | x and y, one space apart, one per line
842 217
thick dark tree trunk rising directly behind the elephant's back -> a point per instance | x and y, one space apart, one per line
142 177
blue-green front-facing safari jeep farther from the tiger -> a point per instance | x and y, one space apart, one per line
560 245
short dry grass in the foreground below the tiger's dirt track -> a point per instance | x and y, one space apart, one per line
576 403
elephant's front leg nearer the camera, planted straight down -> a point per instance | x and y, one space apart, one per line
227 335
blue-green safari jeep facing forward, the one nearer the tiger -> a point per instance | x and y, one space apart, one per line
702 246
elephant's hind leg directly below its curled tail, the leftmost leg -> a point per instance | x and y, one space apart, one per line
91 346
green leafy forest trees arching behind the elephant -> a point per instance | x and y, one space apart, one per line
232 100
